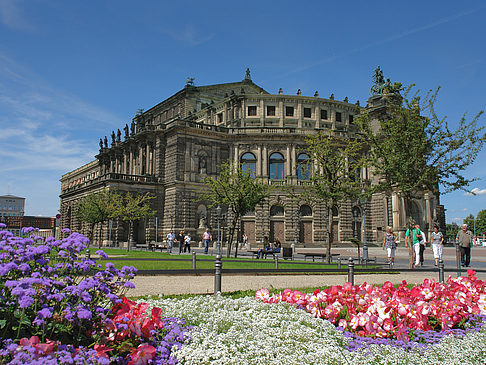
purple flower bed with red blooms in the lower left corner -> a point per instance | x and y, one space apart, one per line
58 308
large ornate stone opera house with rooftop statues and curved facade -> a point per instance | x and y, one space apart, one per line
169 149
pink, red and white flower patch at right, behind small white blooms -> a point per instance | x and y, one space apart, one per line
389 312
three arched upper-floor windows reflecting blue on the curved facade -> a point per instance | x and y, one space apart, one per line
276 165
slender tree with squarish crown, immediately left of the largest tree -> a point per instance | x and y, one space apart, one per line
335 177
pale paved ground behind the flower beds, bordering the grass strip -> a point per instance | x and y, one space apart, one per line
203 284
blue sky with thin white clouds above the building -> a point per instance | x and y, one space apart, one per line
72 71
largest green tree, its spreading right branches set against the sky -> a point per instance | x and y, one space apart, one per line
413 150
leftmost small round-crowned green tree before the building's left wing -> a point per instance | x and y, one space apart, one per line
95 209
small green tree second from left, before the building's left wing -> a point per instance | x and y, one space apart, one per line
131 208
